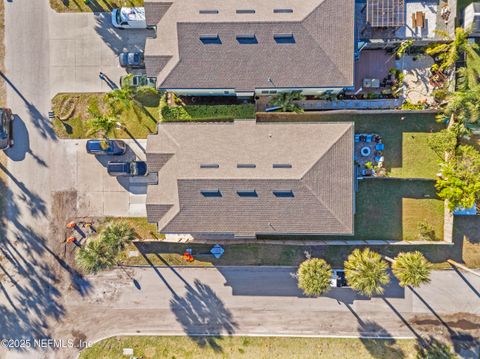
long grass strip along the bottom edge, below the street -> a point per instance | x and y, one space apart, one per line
251 347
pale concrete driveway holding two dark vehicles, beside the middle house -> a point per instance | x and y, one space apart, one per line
99 194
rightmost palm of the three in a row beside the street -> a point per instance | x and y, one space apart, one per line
411 268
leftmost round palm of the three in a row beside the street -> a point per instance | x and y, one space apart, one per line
314 276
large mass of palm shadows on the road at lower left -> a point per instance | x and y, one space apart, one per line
31 273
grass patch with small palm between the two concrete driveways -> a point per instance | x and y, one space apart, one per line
139 124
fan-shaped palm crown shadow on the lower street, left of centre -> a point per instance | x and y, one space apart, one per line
203 315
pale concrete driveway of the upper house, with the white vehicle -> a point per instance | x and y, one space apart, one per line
81 45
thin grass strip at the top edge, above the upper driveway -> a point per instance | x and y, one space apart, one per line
92 5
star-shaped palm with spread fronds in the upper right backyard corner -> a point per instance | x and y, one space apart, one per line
450 50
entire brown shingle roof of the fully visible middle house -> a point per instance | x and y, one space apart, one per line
250 178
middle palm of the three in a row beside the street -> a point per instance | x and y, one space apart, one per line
366 272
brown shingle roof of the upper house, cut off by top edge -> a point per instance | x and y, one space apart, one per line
249 44
